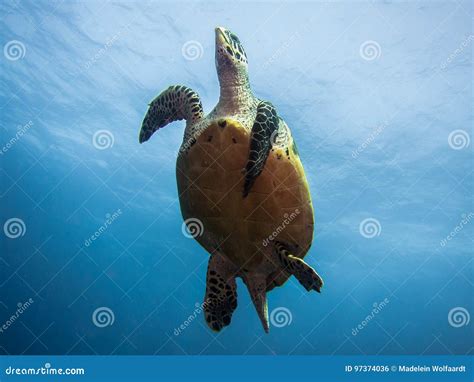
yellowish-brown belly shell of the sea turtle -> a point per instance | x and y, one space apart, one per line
210 180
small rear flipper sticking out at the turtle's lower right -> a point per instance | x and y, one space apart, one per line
306 275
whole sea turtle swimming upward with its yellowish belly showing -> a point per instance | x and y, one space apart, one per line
240 179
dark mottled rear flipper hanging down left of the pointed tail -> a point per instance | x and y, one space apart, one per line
221 292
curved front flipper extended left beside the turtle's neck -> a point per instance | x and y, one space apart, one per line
173 104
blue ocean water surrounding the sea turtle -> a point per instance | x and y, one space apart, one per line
379 99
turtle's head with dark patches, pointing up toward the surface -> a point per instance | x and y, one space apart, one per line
231 60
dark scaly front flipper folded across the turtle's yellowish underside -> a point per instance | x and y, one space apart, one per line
266 123
